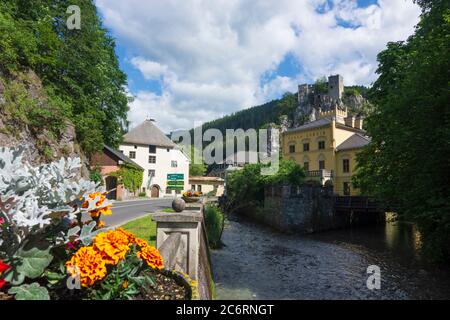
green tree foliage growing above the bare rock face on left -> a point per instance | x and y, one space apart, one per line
78 67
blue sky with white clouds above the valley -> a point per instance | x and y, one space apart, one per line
191 61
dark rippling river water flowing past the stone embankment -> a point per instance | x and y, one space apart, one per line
259 263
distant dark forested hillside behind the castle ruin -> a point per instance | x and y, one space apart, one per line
270 112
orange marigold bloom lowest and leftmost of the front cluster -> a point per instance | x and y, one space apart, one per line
88 264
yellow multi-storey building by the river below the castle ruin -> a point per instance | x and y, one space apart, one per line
326 148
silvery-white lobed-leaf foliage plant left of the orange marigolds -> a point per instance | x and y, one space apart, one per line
37 207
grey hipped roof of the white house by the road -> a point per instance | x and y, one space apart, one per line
148 134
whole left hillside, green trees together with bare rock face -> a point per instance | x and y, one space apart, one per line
58 87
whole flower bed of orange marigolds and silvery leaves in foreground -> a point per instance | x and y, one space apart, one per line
49 251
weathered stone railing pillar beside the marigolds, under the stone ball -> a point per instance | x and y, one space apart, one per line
181 239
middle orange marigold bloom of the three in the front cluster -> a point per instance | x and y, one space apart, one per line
113 244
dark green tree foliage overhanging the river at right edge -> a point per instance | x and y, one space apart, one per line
407 164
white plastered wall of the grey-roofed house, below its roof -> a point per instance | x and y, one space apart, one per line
162 166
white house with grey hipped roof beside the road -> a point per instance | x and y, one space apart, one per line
150 148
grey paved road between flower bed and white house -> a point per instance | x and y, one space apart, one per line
124 211
